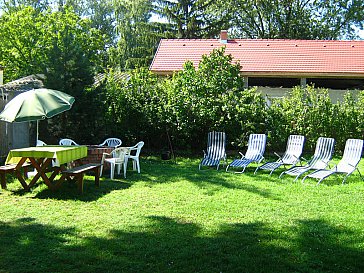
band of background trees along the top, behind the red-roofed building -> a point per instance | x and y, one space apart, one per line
130 36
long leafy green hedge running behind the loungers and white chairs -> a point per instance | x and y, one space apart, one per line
193 102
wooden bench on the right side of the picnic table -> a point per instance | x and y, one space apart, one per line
78 173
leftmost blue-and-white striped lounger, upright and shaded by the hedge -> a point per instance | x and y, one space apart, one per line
215 150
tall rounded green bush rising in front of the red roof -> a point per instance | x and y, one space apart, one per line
212 97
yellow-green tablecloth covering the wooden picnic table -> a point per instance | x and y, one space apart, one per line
61 154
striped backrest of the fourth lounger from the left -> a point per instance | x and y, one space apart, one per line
323 153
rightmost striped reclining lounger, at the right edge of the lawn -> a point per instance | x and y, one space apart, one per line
347 165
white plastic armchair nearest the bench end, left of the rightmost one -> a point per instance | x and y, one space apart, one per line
117 159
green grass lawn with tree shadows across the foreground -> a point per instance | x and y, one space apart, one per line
174 218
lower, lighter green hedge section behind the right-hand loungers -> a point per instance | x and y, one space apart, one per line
310 112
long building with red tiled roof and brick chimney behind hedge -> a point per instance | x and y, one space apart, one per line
274 65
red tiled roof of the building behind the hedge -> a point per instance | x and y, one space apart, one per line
268 57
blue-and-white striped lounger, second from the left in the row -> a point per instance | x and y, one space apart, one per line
255 152
